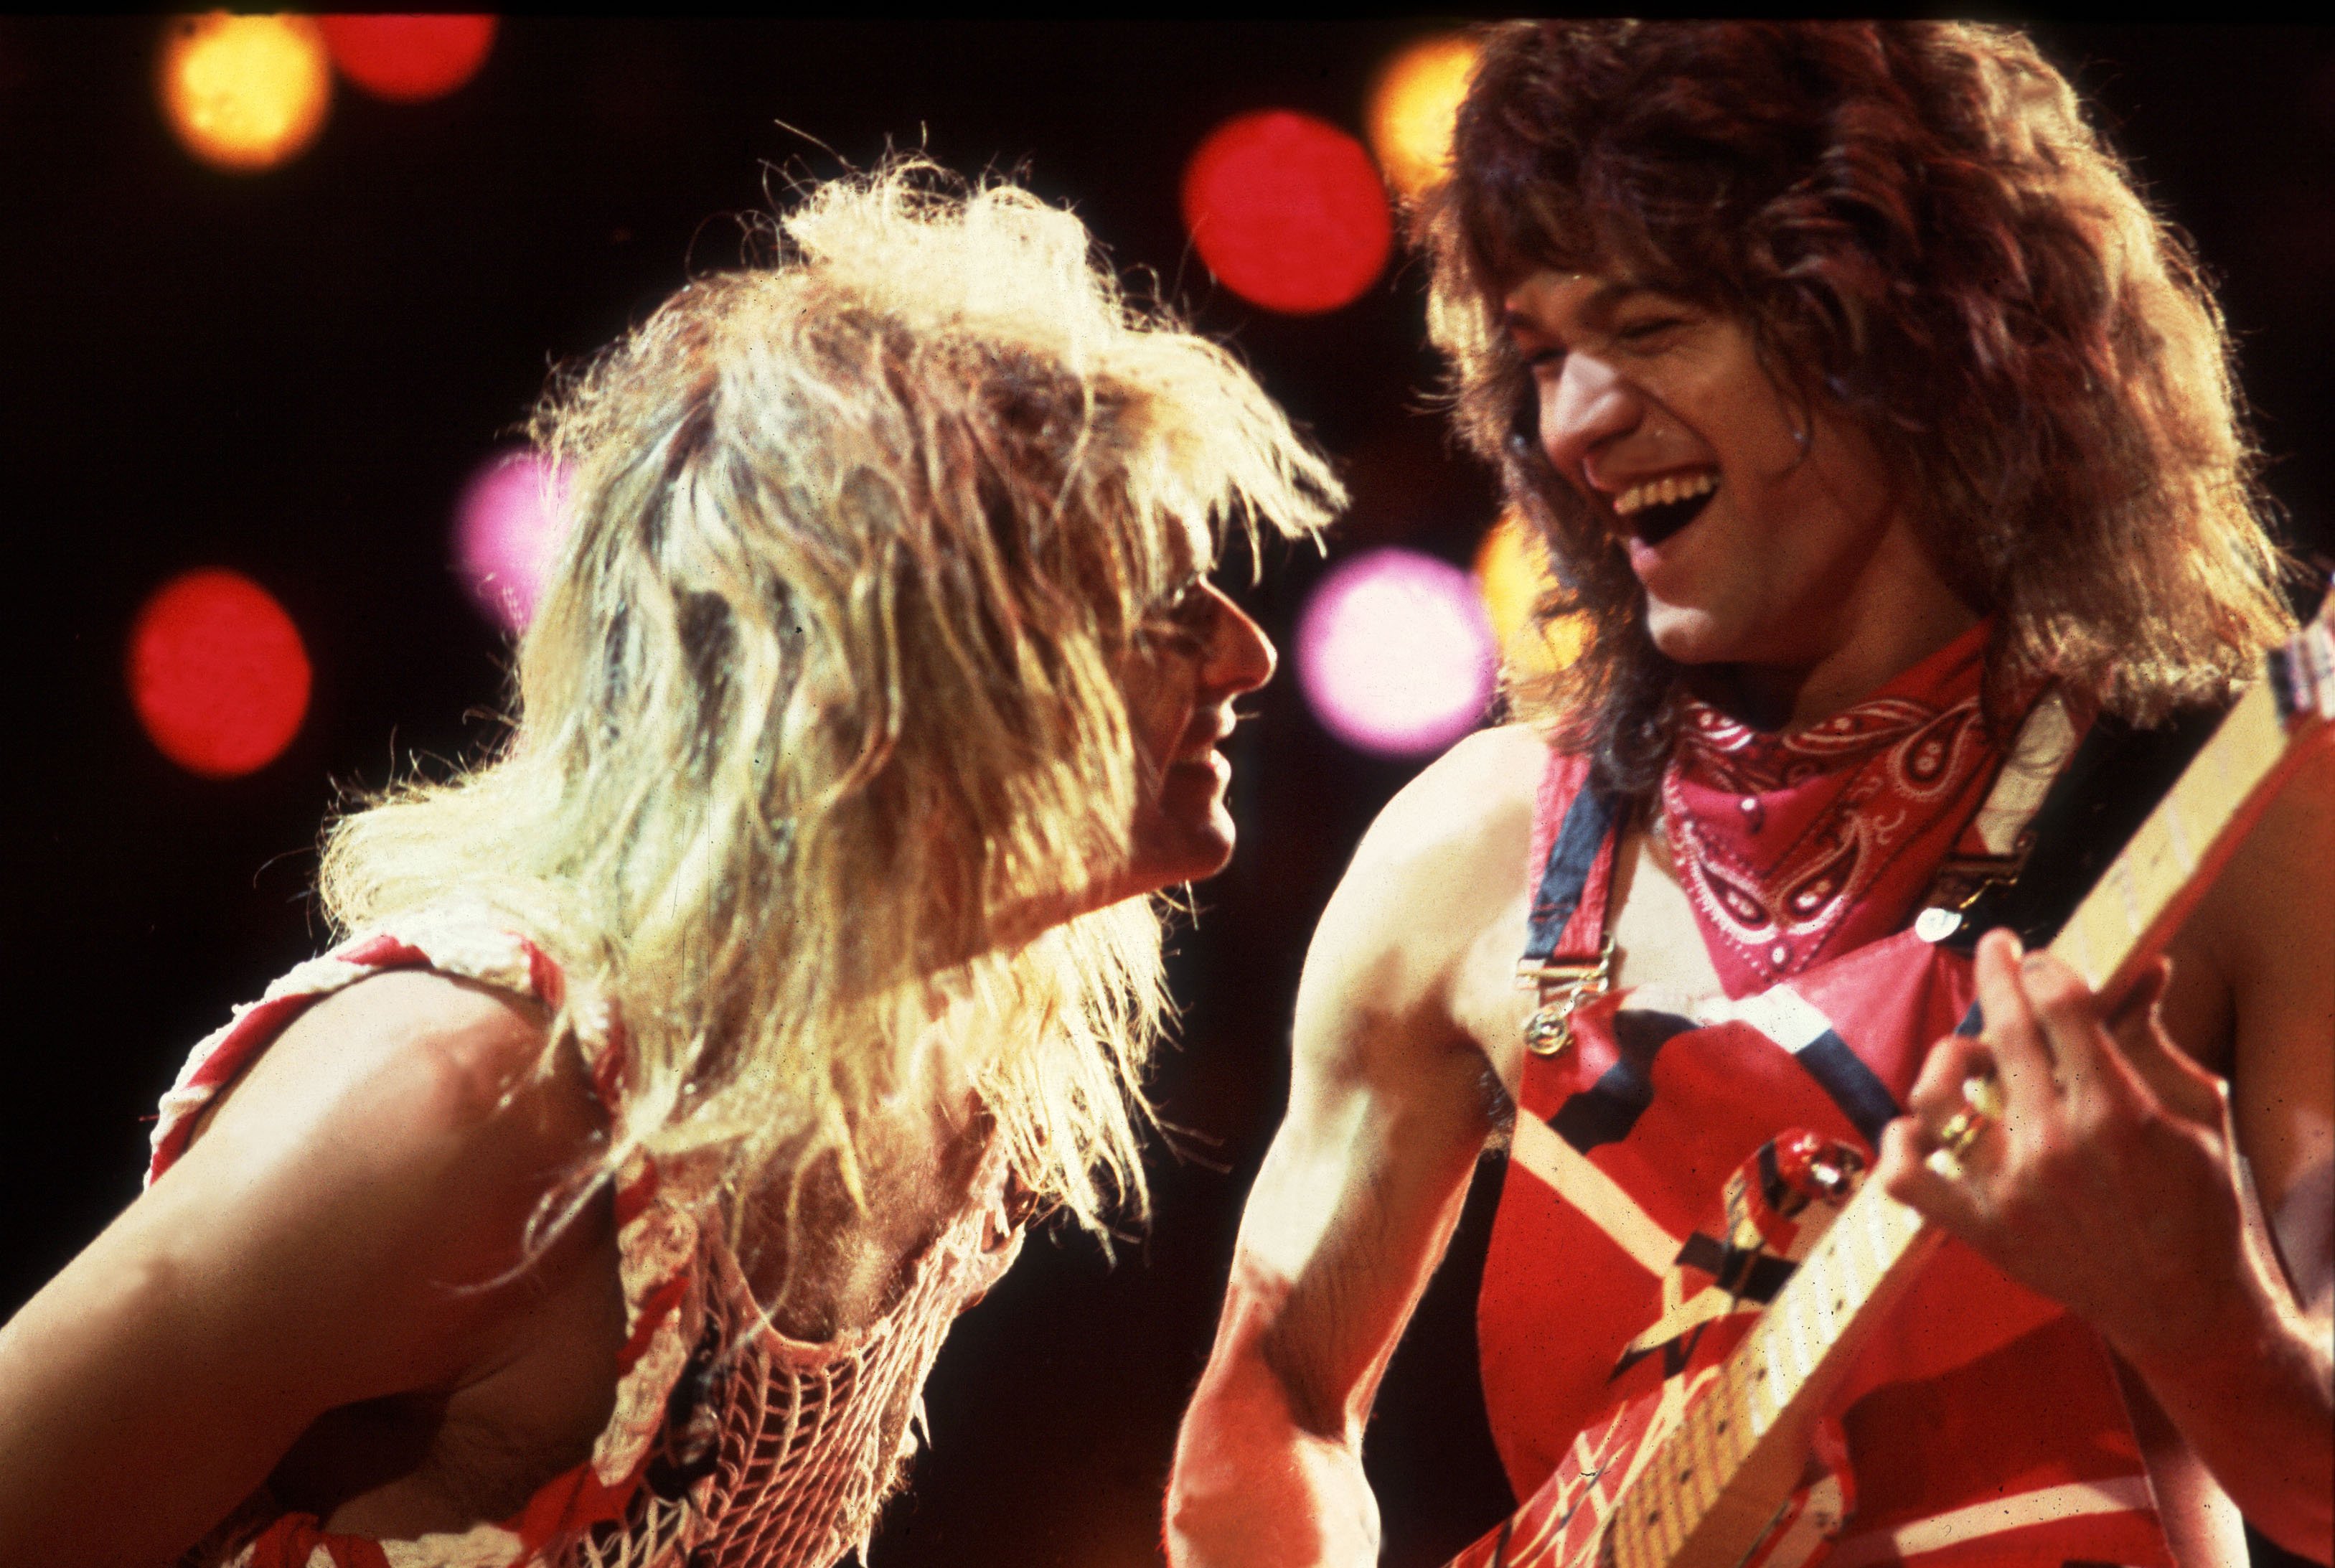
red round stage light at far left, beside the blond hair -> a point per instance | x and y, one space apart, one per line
218 674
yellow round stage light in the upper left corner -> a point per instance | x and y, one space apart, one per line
246 92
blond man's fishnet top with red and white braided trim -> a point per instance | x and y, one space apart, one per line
730 1445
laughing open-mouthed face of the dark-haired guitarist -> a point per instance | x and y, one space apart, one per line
1748 518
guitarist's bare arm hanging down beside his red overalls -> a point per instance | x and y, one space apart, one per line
1351 1214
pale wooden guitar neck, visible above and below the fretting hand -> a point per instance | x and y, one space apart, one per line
1708 1492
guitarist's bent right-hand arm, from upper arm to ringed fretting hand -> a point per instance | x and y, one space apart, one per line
2117 1181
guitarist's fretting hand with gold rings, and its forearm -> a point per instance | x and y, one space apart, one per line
2114 1184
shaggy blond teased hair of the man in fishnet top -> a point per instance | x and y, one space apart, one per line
825 700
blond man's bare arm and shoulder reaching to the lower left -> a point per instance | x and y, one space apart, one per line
298 1258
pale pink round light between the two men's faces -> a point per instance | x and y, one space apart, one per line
1395 653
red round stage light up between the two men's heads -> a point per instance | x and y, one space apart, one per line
1288 211
